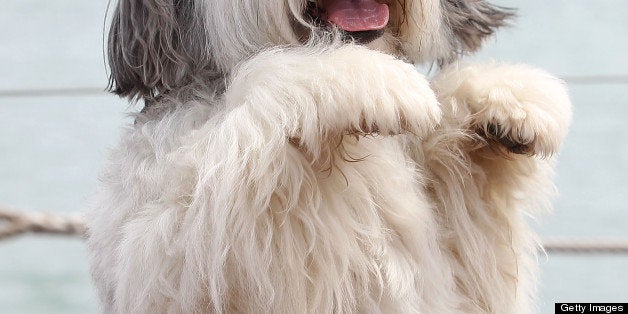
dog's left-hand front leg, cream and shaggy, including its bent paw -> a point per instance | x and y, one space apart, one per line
251 175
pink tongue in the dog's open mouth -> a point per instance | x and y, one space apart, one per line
356 15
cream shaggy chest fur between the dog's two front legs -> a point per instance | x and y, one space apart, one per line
371 226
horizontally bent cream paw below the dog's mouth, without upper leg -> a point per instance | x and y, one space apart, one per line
317 95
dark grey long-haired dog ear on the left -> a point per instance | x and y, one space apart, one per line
154 47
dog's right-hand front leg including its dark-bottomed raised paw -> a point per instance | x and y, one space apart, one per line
499 122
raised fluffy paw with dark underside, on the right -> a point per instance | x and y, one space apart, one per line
524 110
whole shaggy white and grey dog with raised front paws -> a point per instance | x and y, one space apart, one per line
290 159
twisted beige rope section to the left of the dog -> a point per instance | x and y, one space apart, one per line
13 223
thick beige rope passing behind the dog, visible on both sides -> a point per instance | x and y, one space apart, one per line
13 223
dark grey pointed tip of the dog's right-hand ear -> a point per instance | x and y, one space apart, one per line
472 21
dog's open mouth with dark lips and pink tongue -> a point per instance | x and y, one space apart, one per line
359 20
